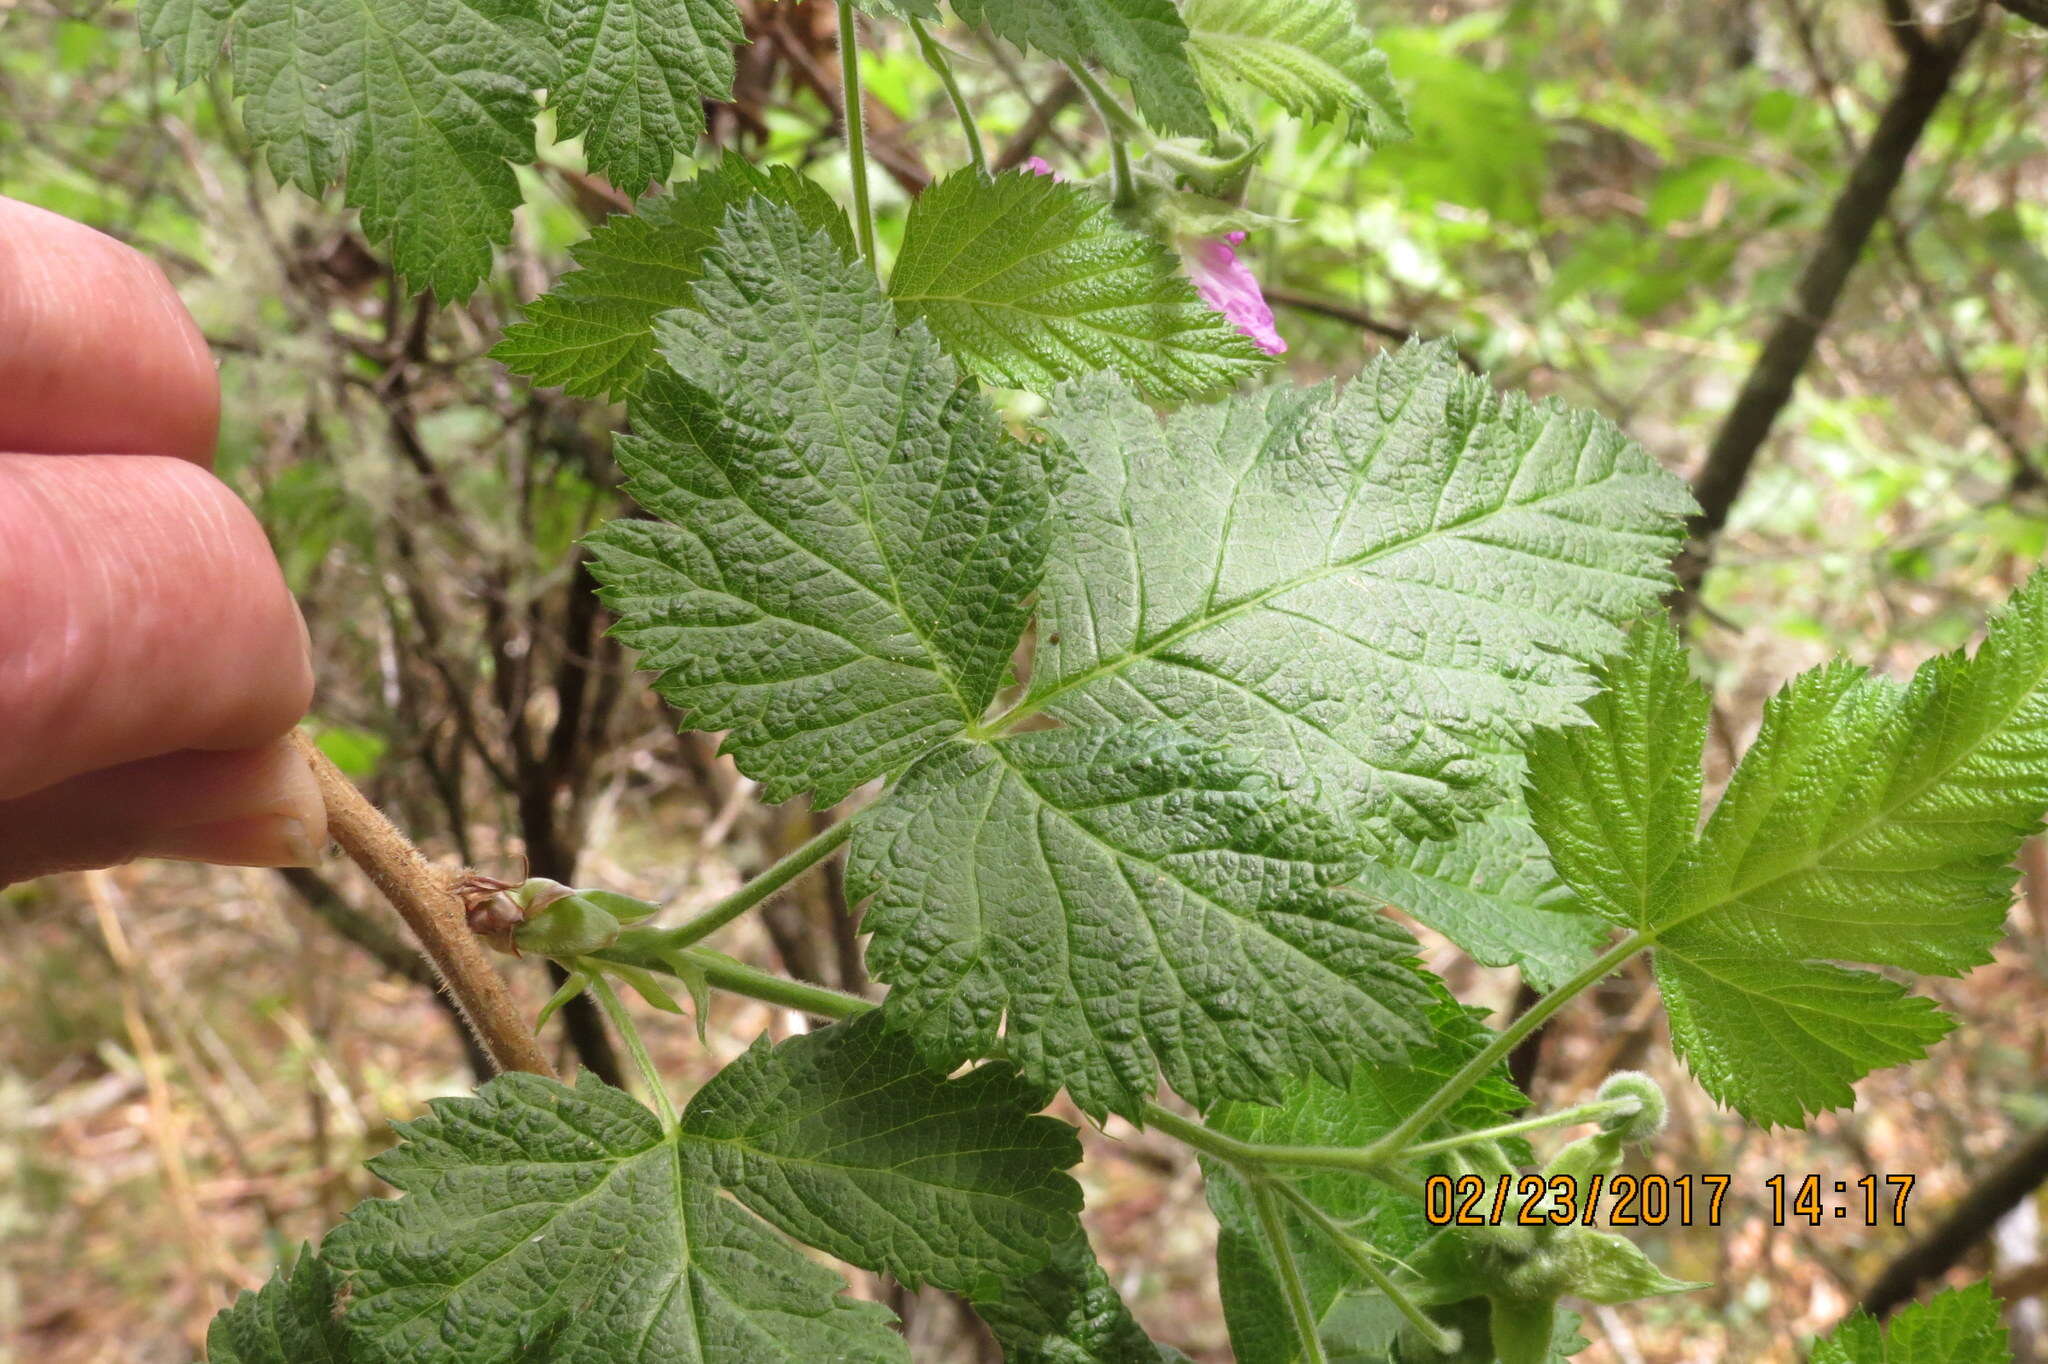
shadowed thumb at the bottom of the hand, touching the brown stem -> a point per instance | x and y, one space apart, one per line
247 808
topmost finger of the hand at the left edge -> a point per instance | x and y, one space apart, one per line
97 353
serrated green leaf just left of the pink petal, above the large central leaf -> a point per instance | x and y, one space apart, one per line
1029 282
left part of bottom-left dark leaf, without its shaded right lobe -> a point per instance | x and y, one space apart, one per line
558 1226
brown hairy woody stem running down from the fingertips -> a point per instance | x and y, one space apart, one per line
435 917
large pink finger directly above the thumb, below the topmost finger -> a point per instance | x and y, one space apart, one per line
146 615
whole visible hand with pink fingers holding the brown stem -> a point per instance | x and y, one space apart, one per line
151 658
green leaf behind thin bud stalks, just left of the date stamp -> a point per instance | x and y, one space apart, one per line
1318 1113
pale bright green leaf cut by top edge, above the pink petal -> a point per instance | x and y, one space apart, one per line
1308 54
